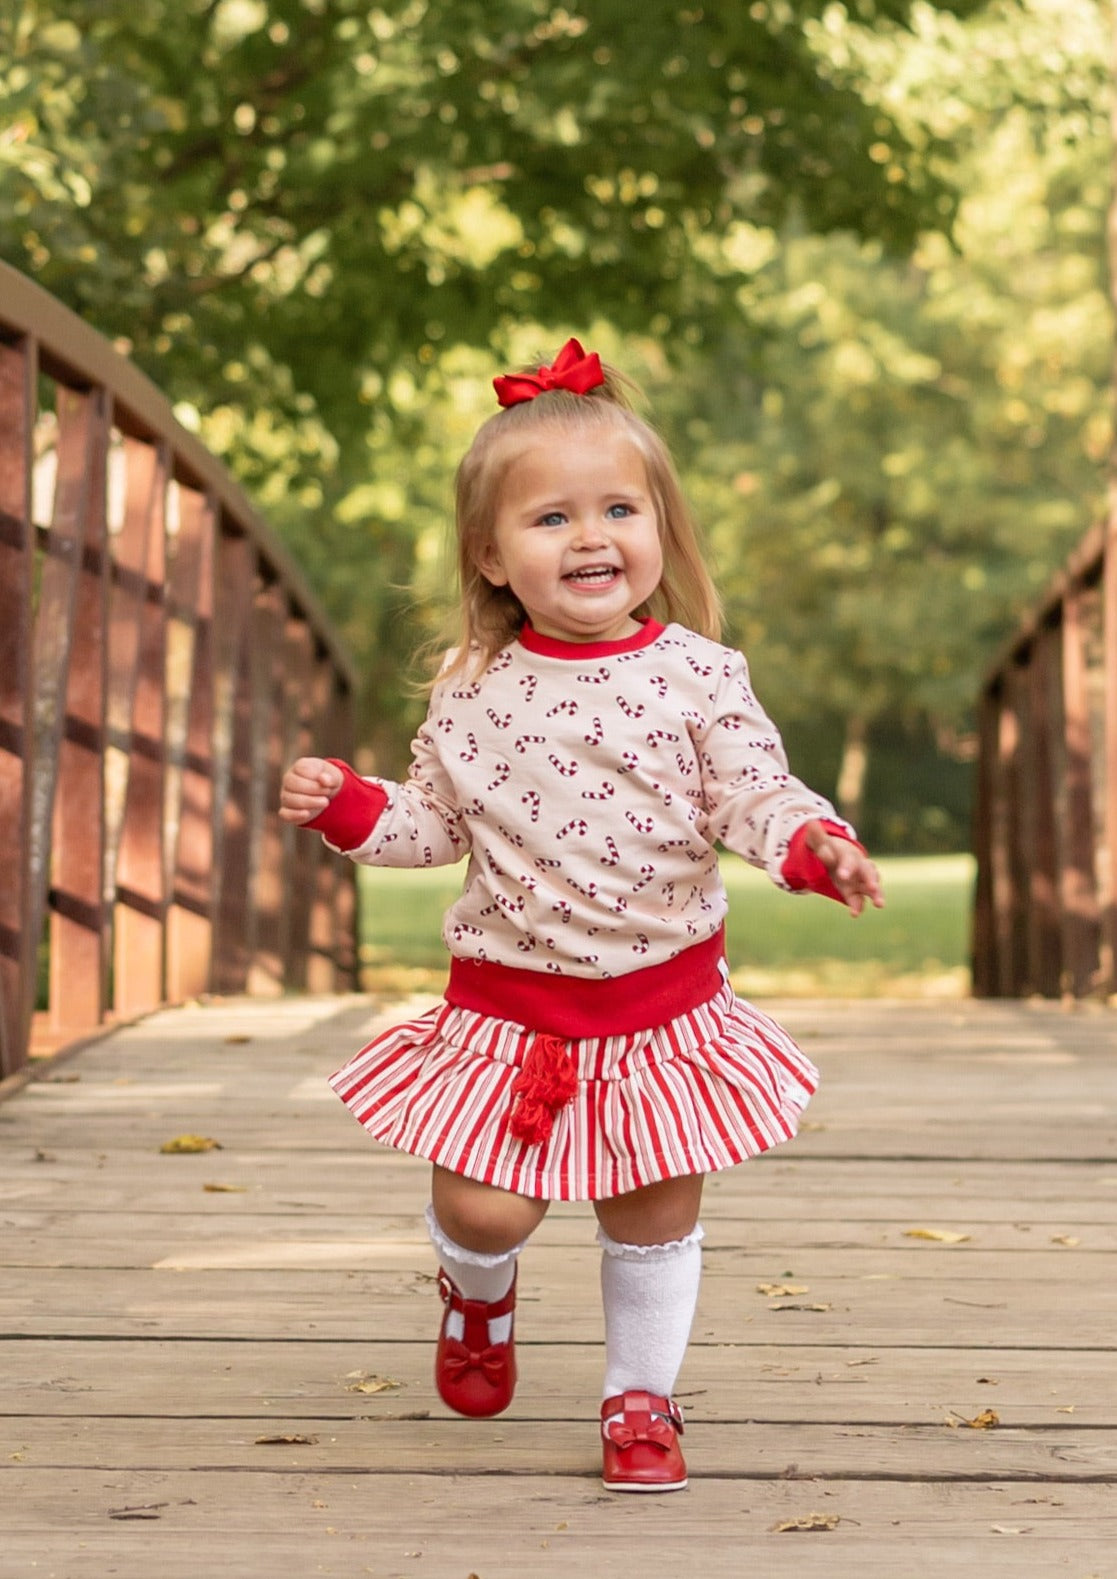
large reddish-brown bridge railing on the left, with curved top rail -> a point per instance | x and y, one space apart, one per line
160 661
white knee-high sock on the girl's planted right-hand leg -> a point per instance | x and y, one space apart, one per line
650 1294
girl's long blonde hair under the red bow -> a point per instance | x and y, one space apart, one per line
491 617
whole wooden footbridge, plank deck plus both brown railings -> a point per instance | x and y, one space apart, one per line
220 1359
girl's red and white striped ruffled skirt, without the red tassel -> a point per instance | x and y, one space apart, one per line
705 1092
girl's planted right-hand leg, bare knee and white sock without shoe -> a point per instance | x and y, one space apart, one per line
652 1266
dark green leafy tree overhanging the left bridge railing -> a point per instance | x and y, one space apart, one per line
295 211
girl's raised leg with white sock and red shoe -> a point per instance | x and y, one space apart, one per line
478 1234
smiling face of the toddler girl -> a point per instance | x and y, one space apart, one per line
576 536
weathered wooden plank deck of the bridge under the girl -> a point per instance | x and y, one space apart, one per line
164 1316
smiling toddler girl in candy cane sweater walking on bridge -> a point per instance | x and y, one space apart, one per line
589 744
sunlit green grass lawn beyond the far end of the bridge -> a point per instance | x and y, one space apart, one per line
778 945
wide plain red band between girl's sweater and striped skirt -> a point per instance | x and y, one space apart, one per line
576 1007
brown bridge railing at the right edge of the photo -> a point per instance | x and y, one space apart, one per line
1047 805
